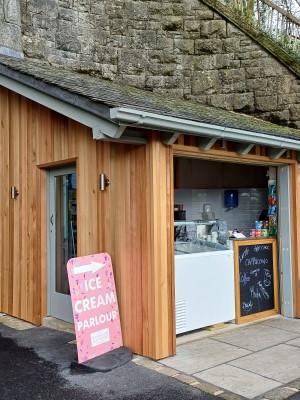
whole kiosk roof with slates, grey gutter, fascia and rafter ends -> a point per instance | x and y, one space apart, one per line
111 109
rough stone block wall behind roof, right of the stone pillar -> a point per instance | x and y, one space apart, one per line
181 48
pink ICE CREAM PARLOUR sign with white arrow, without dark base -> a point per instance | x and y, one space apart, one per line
95 305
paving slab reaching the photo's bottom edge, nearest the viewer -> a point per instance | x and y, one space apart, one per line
238 381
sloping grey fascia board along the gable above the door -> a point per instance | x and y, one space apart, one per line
98 124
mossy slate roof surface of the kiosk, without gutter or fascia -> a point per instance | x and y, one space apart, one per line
74 87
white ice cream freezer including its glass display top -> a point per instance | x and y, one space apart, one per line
204 277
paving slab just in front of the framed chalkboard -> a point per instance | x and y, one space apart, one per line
256 337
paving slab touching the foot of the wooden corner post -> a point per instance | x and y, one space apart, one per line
203 354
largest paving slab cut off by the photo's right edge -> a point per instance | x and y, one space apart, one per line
280 363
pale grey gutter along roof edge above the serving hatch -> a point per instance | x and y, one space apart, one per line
133 117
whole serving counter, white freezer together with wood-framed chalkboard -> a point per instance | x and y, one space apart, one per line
216 283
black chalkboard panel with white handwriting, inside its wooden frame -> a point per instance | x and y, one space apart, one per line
256 280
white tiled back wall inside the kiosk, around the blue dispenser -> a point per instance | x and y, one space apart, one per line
251 203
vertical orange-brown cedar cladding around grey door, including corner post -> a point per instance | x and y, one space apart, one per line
118 221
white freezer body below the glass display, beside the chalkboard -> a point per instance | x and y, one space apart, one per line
204 288
